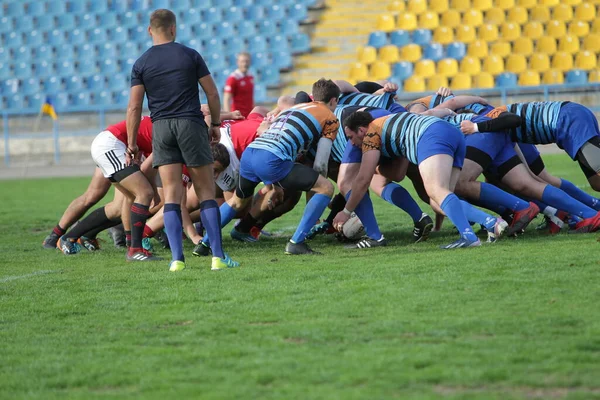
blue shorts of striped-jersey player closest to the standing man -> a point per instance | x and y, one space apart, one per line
259 165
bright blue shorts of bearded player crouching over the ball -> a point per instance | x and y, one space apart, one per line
442 138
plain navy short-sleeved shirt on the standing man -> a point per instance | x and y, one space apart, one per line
170 74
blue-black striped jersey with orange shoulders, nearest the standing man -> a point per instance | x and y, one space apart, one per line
297 130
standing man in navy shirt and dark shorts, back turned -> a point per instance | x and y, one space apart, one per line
168 74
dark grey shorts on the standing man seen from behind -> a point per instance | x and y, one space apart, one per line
180 141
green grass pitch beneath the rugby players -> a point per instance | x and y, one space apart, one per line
516 319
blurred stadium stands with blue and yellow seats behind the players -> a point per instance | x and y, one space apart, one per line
78 55
